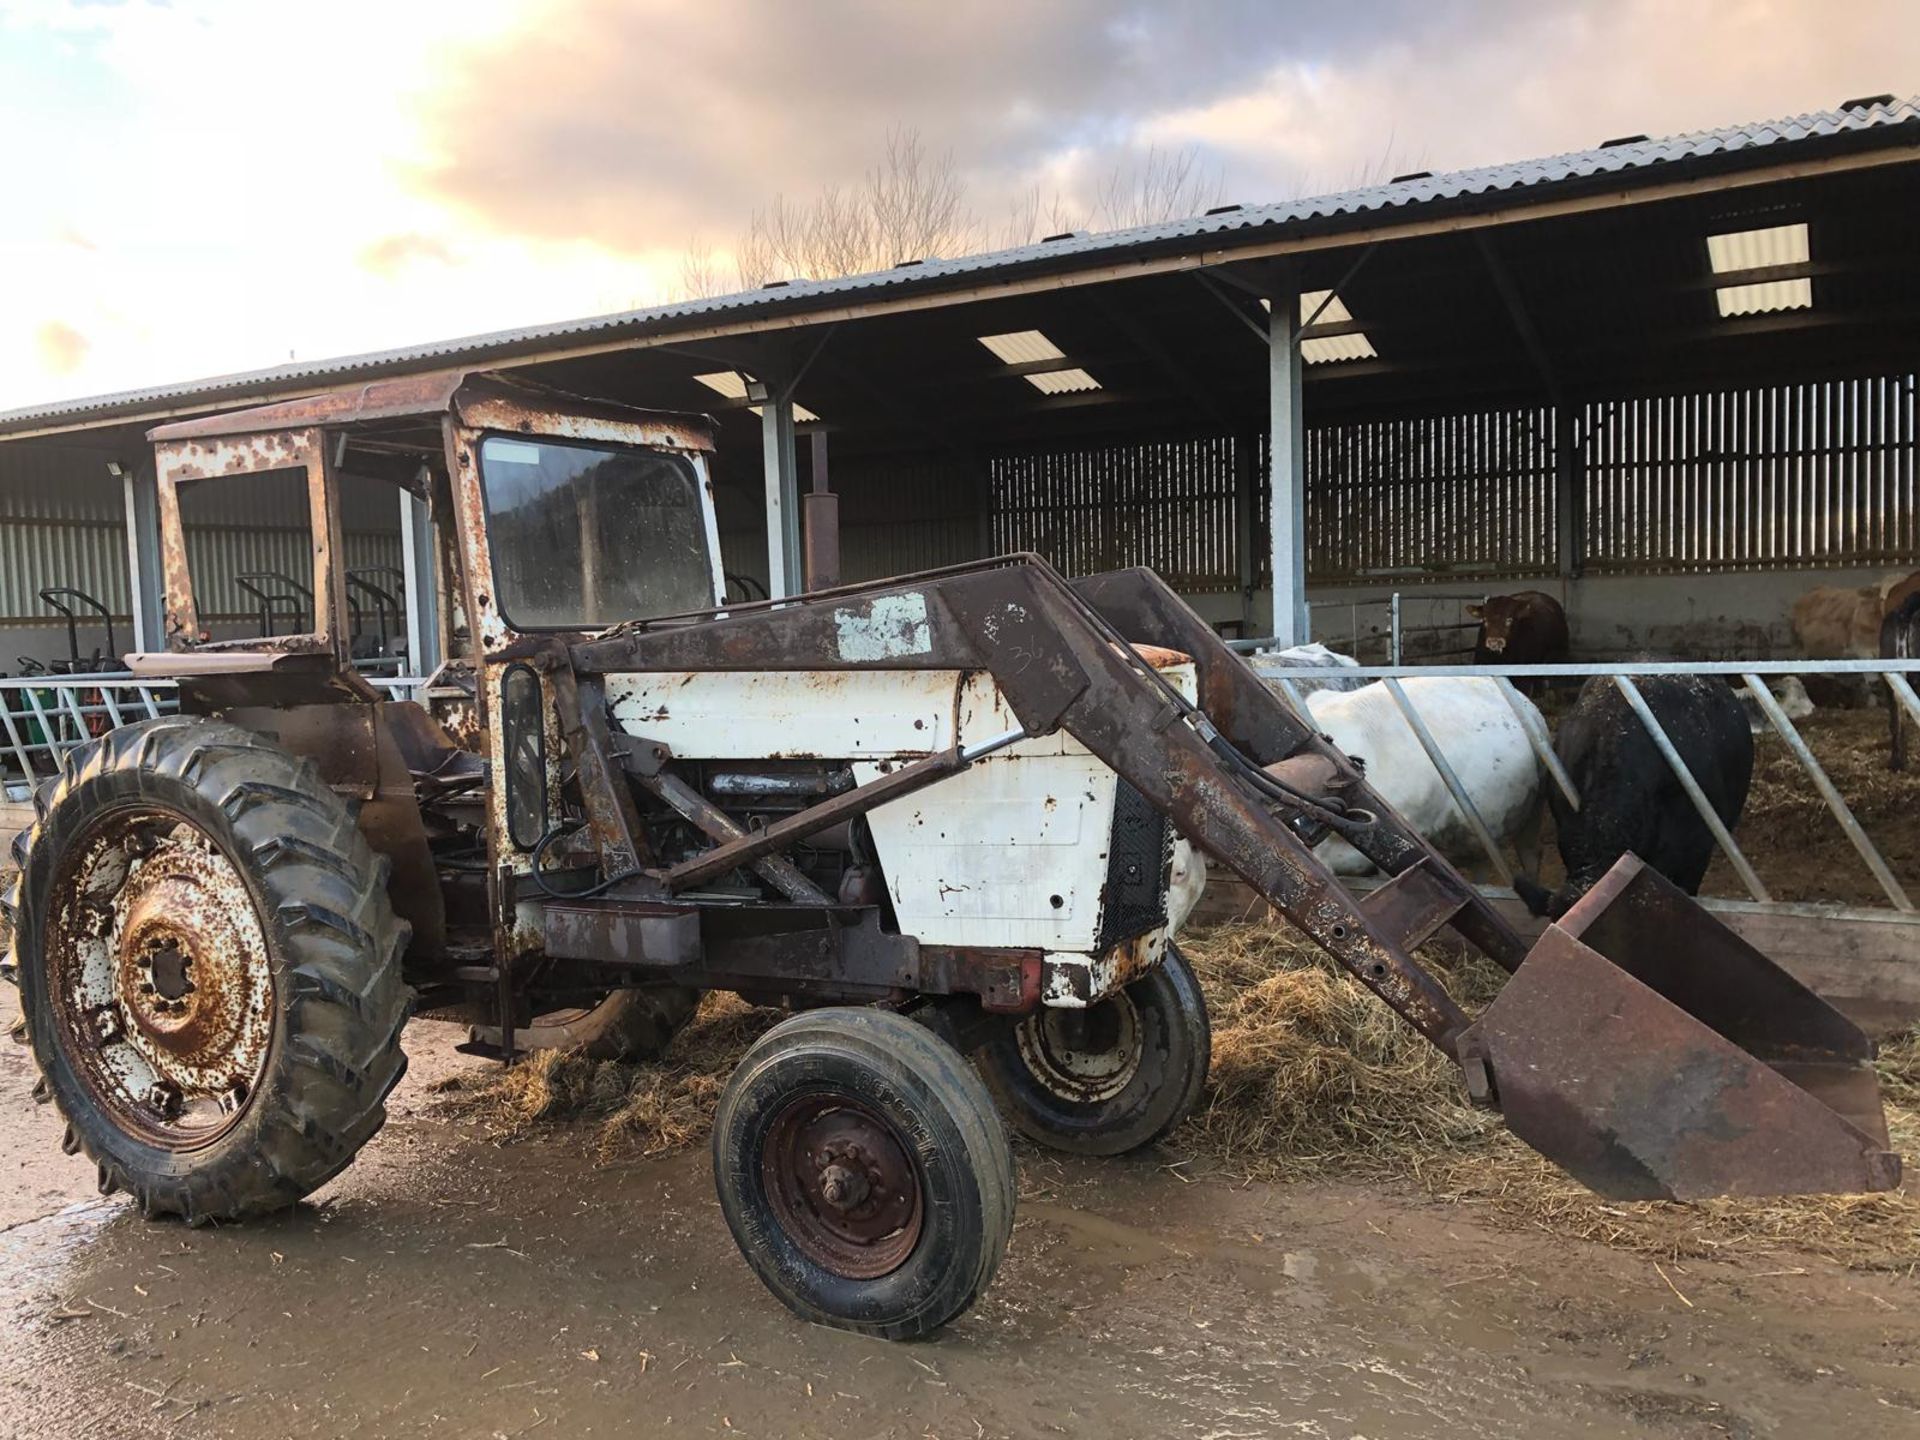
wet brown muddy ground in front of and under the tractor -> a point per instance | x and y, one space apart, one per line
450 1285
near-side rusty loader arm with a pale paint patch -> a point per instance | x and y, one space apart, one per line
1061 667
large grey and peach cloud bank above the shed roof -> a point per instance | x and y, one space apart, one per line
636 124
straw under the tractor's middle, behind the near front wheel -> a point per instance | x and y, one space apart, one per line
648 1109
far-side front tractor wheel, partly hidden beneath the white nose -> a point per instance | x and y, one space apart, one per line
1113 1078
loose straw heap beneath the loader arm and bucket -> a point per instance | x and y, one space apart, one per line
1314 1078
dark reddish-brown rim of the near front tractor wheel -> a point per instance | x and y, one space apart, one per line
844 1186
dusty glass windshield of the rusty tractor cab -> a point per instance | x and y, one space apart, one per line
587 537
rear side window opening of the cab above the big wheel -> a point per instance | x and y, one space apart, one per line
251 554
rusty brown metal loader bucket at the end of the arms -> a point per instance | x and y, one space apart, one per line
1654 1055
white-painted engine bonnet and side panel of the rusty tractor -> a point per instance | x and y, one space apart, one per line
1011 853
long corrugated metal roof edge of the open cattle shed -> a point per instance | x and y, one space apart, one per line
1867 126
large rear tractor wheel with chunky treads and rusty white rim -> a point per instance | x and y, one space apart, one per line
208 967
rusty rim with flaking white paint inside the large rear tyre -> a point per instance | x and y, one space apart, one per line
160 976
